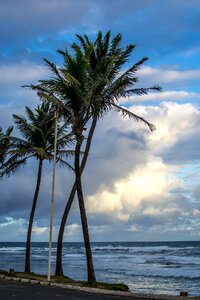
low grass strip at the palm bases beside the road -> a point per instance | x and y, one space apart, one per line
67 280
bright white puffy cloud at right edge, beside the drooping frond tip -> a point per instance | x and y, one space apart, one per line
174 122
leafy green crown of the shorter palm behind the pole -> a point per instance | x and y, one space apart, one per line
37 131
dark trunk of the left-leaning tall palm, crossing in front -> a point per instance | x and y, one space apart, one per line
90 266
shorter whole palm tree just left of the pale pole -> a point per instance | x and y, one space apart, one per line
37 141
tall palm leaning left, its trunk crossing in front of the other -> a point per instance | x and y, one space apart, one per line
70 91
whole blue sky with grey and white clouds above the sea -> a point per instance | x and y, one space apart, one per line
138 185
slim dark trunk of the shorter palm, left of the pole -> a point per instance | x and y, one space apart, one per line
30 225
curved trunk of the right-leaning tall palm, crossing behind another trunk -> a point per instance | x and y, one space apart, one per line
59 269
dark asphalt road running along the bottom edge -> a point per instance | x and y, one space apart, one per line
12 288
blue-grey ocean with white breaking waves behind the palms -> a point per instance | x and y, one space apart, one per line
146 267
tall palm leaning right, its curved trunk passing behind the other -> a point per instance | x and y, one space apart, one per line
106 61
